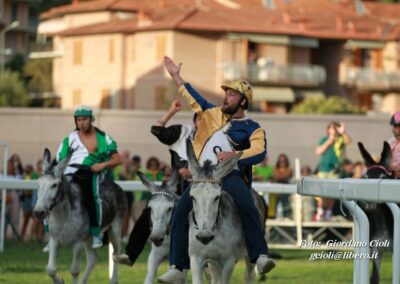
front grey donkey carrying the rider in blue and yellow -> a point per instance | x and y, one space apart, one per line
215 233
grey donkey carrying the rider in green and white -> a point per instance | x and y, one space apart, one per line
61 201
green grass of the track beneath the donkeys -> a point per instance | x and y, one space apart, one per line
25 263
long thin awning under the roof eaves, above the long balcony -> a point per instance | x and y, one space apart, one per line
276 39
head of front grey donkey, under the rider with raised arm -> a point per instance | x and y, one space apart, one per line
206 193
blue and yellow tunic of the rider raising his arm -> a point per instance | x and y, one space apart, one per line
243 134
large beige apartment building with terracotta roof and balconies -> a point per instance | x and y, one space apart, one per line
108 54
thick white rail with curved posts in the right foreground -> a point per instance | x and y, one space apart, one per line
349 190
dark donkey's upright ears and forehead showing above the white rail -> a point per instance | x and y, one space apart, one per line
381 169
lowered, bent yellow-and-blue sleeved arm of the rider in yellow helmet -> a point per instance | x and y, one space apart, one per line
258 149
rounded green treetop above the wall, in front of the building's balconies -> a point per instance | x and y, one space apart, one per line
330 105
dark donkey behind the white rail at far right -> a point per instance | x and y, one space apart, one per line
379 215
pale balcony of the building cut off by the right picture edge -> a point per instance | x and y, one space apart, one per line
370 79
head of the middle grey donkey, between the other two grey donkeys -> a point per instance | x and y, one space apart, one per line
161 205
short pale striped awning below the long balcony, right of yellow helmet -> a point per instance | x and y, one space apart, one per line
271 94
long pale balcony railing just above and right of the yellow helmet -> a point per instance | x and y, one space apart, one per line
291 74
